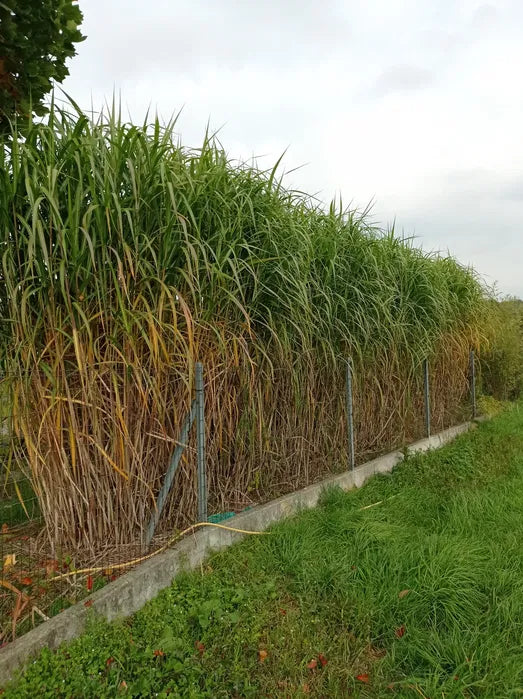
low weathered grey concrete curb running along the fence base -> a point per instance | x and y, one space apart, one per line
129 593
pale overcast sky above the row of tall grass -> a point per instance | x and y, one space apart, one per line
414 104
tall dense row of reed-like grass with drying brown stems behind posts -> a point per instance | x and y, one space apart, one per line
126 258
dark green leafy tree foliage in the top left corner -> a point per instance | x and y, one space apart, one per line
36 39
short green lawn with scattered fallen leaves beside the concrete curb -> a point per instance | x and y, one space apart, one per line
418 596
